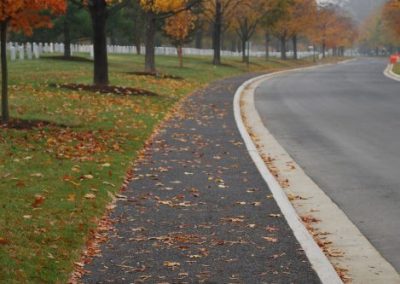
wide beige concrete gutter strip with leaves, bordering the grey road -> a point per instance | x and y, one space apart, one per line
349 251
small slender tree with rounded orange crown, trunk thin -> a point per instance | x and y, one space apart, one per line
178 28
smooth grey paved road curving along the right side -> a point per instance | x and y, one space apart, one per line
342 125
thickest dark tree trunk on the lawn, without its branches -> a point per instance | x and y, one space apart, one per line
99 19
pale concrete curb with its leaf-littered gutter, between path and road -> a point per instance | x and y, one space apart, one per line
364 262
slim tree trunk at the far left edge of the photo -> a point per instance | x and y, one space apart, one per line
5 116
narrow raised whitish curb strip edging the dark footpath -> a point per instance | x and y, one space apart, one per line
319 261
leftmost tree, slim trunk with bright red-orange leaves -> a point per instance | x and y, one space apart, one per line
21 15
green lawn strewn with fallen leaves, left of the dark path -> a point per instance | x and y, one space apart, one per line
56 180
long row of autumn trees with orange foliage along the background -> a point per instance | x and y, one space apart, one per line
323 26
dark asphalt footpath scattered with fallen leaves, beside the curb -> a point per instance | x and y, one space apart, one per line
198 211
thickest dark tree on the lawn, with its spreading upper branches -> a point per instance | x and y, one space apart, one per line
99 11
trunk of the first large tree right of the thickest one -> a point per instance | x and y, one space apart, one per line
151 29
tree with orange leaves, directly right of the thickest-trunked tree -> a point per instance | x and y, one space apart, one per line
156 10
